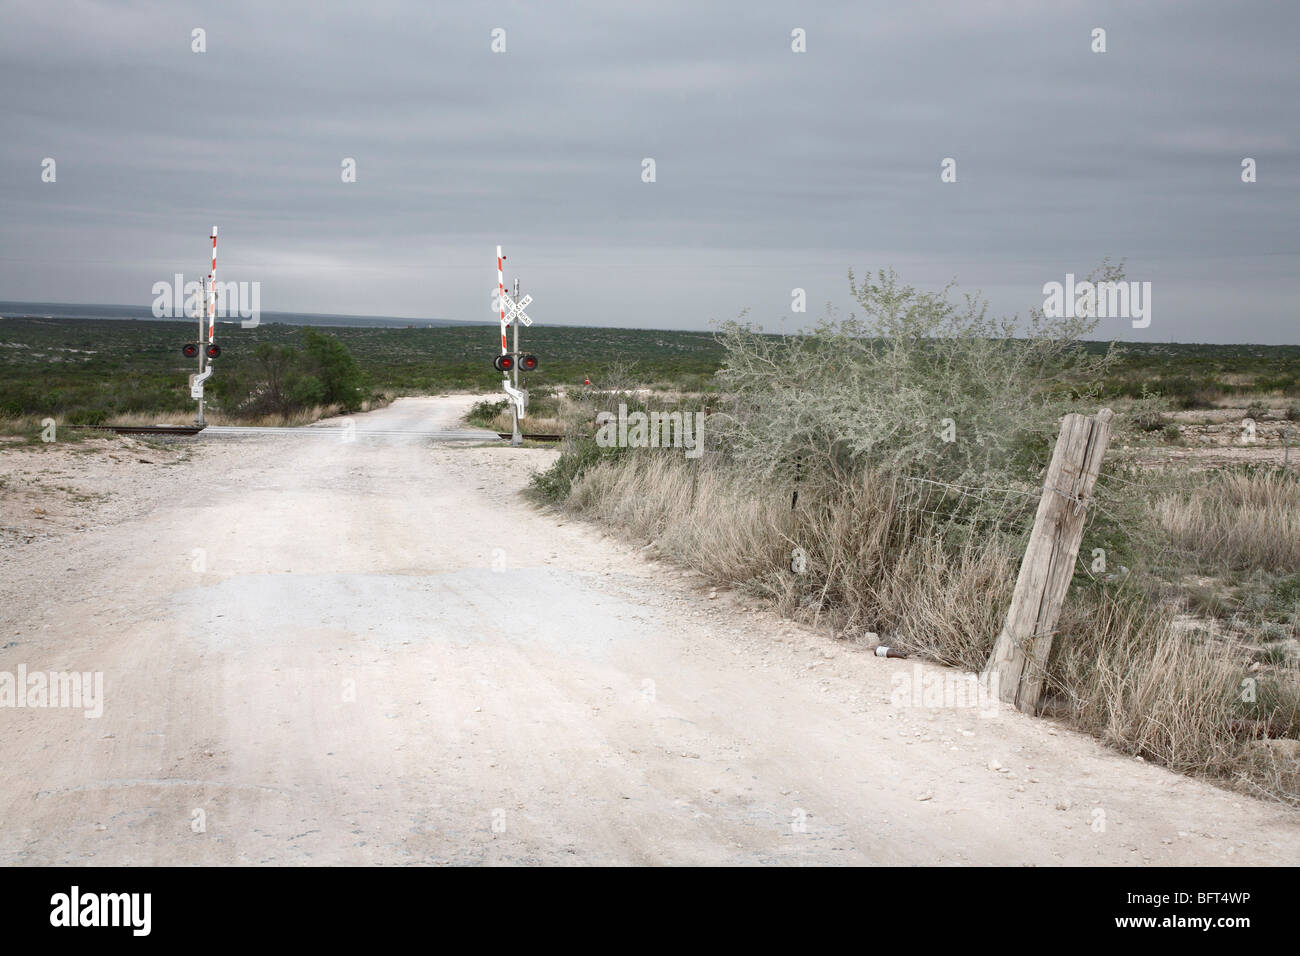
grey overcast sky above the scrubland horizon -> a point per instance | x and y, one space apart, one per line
774 170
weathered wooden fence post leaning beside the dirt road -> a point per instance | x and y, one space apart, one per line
1020 659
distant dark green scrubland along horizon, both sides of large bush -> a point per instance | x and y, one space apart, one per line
92 370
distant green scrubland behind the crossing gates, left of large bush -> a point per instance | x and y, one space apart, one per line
88 371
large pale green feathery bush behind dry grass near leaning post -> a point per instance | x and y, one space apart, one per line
920 384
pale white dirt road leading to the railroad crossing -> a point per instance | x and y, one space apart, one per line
371 651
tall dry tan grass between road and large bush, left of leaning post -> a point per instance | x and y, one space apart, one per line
866 560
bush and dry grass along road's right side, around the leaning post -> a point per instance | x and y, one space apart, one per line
879 477
